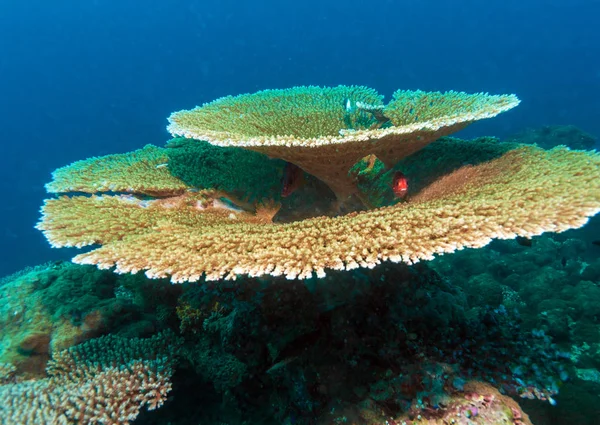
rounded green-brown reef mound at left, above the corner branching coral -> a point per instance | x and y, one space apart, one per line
55 306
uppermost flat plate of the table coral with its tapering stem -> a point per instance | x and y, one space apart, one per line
325 131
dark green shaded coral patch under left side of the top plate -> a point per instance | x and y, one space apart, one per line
233 170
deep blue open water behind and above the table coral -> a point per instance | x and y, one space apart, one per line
83 78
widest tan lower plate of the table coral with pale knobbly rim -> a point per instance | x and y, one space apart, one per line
524 192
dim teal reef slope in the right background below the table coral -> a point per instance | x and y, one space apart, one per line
552 281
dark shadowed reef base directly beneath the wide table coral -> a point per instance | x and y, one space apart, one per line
369 345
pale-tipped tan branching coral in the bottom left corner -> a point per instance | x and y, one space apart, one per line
105 381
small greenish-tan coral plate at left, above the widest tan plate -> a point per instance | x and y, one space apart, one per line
143 171
